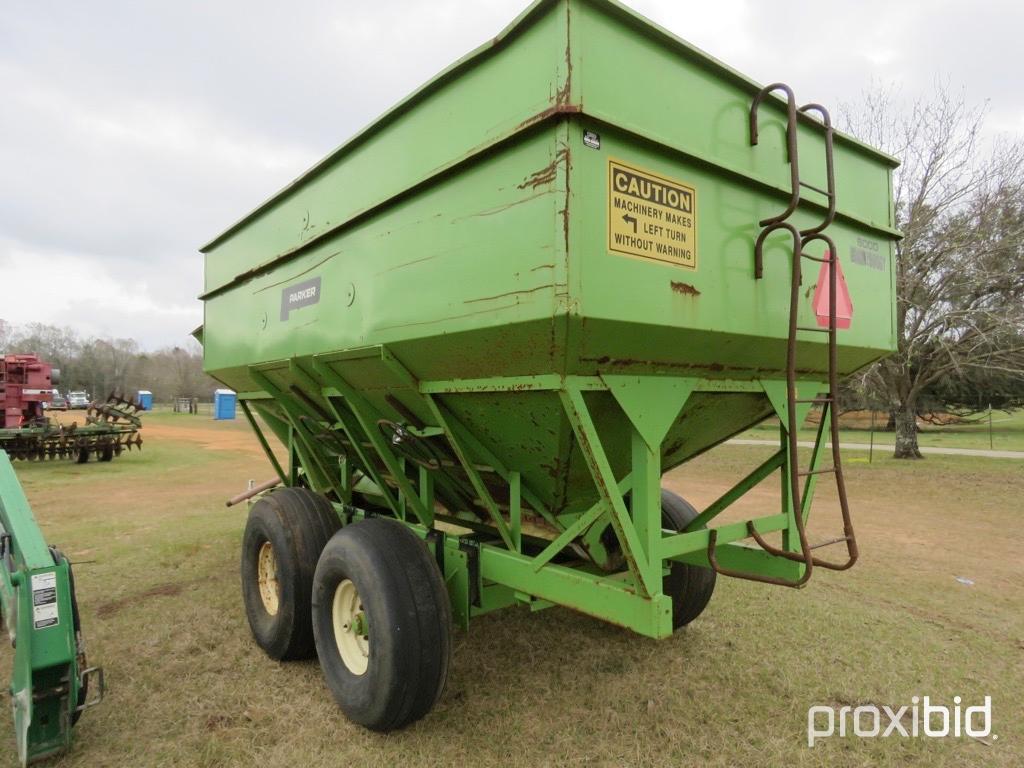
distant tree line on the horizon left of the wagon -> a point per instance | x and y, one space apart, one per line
104 366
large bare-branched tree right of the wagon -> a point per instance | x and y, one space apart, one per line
960 268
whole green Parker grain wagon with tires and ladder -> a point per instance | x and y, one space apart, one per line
486 326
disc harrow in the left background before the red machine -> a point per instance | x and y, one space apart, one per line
111 429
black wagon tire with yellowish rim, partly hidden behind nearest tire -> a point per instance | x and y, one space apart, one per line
285 535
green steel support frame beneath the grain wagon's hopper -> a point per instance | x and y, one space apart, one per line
331 431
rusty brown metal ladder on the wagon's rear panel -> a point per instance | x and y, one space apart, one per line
801 239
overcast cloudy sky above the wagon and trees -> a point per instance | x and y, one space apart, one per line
131 134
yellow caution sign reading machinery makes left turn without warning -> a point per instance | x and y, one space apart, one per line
652 217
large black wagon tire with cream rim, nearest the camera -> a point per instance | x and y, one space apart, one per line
383 624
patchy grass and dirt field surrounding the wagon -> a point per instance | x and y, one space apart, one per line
159 586
